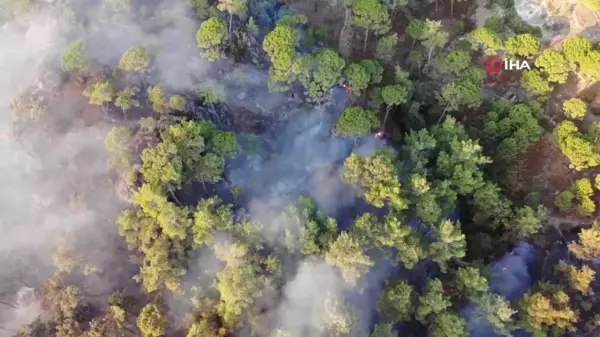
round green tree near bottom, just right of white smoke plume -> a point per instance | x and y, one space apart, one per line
398 302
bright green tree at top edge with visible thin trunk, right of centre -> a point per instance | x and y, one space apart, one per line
371 15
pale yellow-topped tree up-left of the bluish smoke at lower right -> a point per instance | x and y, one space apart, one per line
450 243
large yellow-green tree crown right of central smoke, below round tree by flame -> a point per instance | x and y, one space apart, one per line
377 175
